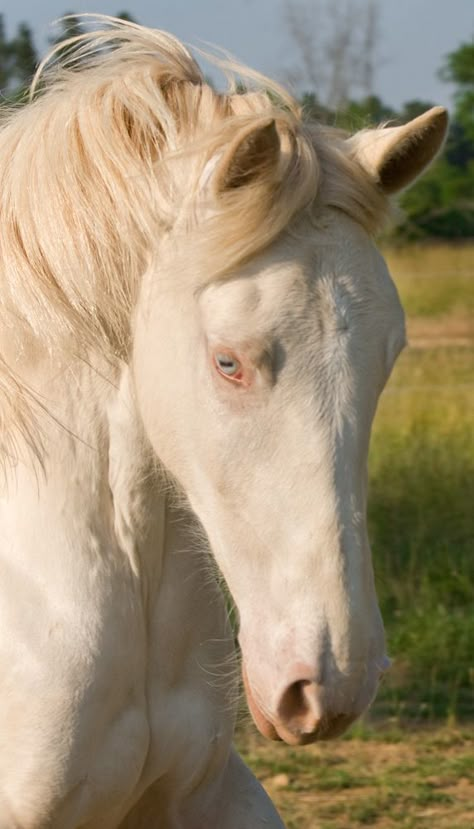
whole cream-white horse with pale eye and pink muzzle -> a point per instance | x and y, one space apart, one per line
195 329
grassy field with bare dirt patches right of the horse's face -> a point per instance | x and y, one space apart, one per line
411 762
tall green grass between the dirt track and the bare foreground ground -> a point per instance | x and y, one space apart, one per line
421 523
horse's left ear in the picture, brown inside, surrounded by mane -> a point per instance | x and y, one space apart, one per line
253 154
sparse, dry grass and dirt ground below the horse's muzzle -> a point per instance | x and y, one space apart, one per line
406 779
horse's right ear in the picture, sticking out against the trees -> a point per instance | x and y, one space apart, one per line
396 156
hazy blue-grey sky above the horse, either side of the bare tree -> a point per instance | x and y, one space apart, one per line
415 35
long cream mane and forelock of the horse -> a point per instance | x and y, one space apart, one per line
100 163
